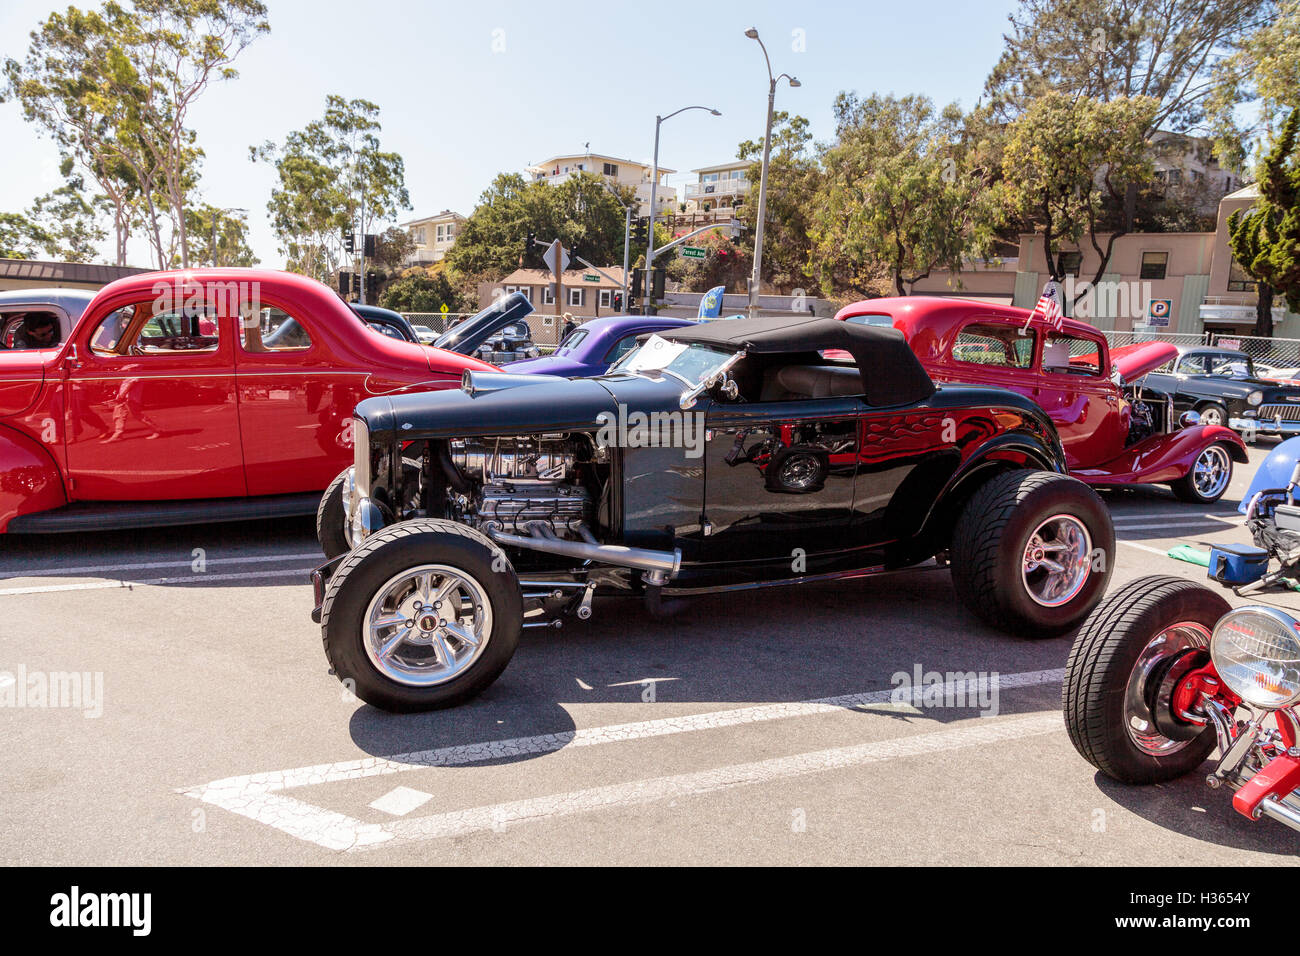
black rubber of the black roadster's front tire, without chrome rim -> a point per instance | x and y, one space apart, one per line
378 561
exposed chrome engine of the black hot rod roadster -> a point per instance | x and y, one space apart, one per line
519 482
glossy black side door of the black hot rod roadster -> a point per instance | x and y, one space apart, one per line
779 479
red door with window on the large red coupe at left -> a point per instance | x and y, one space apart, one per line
151 408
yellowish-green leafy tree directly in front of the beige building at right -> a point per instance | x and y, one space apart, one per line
1068 162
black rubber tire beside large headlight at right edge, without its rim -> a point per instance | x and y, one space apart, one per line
1102 664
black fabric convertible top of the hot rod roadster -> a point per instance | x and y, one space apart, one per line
891 373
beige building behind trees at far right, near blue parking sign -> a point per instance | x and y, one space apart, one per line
1185 283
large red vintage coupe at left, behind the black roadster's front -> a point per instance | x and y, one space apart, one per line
202 396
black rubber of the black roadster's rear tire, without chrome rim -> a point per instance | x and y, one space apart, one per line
991 539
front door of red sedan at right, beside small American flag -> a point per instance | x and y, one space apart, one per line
1077 393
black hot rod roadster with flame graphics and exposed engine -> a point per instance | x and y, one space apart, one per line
720 457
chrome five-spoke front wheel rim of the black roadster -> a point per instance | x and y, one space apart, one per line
427 625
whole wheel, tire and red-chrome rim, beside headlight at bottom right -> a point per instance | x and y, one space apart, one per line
1115 697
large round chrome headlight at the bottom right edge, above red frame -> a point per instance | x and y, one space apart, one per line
1256 652
